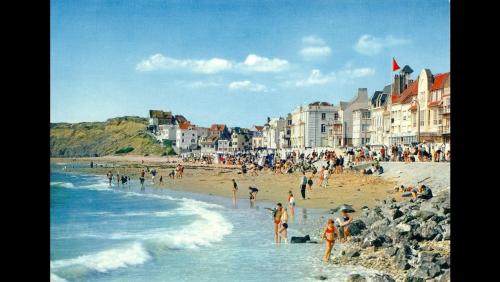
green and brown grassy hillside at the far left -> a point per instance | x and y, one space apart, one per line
102 138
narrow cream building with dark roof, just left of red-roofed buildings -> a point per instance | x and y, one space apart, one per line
380 117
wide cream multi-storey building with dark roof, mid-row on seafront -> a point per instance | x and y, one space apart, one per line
309 125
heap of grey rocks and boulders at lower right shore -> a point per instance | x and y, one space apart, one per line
409 241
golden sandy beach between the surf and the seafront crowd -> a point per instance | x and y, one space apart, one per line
350 187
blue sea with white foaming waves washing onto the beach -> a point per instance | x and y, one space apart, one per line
124 234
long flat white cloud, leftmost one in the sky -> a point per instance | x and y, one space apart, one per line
160 62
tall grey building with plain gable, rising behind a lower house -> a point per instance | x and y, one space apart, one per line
360 101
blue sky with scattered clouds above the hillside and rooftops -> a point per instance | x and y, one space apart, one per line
233 62
